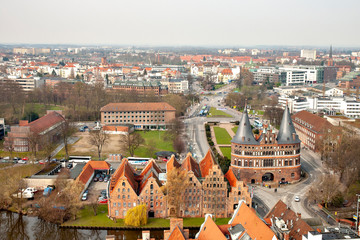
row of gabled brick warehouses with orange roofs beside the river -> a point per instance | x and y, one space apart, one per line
207 192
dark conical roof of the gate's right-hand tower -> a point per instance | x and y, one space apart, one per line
287 133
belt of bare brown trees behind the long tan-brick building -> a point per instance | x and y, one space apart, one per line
81 102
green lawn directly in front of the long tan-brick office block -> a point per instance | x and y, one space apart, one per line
158 139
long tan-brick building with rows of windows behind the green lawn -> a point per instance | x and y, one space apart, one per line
146 115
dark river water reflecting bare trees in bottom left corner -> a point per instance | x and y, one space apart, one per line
19 227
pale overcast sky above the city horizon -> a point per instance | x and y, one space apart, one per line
181 23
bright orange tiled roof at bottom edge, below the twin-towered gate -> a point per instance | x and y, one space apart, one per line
253 225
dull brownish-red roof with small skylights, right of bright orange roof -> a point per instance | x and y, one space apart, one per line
299 227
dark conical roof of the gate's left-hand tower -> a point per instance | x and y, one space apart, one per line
244 134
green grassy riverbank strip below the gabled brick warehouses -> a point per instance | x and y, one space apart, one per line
87 220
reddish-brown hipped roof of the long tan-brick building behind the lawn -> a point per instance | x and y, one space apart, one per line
145 106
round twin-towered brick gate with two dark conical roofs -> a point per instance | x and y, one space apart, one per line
271 157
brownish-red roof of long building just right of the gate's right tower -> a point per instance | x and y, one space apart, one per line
316 123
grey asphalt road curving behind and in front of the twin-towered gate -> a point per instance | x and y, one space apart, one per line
310 161
